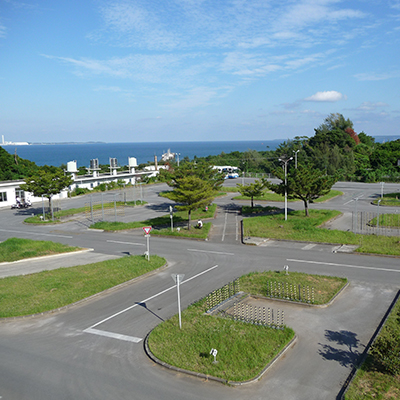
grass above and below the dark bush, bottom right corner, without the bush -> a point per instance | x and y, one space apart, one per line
371 381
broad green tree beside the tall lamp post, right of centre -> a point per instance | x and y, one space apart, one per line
305 183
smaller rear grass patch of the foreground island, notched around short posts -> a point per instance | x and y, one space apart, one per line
325 287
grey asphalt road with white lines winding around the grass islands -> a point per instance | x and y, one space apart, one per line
95 350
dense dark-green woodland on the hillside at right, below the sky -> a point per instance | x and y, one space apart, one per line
334 149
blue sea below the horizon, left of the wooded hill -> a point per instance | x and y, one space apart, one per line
57 154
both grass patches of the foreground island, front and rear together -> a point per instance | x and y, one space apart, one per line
243 349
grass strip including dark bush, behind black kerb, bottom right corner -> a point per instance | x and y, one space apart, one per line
379 376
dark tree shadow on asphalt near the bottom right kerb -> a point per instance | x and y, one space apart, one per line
346 352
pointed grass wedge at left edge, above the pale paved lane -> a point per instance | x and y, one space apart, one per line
14 249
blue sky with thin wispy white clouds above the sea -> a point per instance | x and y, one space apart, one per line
183 70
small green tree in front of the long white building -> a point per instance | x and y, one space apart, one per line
47 182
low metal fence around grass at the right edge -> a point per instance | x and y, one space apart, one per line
375 223
